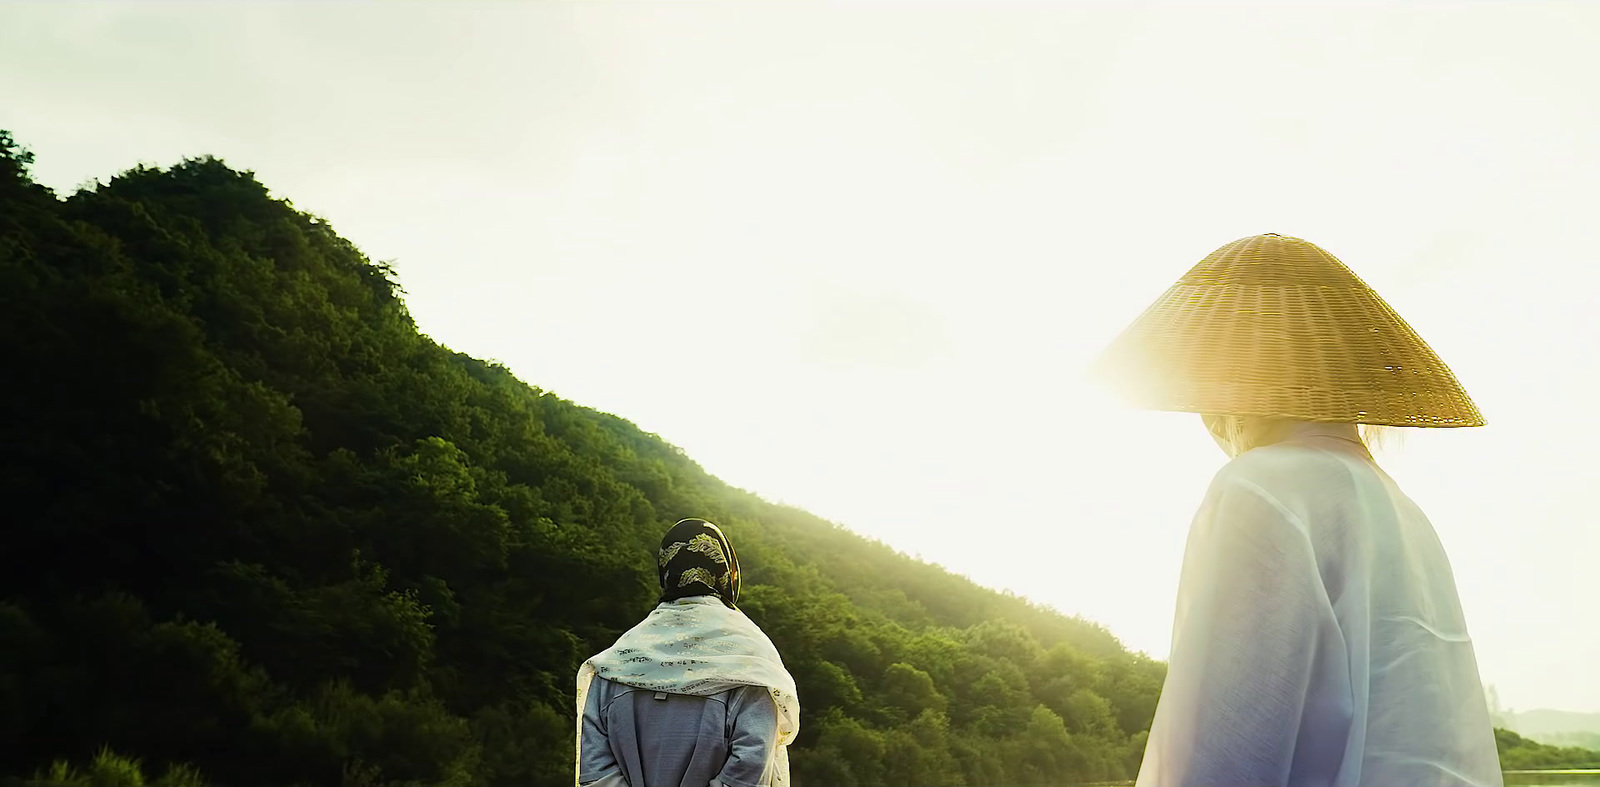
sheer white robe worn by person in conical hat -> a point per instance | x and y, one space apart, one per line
1319 639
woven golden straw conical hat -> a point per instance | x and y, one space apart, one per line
1276 327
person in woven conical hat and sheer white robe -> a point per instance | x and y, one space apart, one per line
1319 639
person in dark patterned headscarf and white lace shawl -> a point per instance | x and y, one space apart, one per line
697 693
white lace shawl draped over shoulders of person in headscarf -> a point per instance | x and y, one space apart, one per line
698 647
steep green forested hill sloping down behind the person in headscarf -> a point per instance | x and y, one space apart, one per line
260 524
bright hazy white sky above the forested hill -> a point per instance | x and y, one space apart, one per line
857 257
